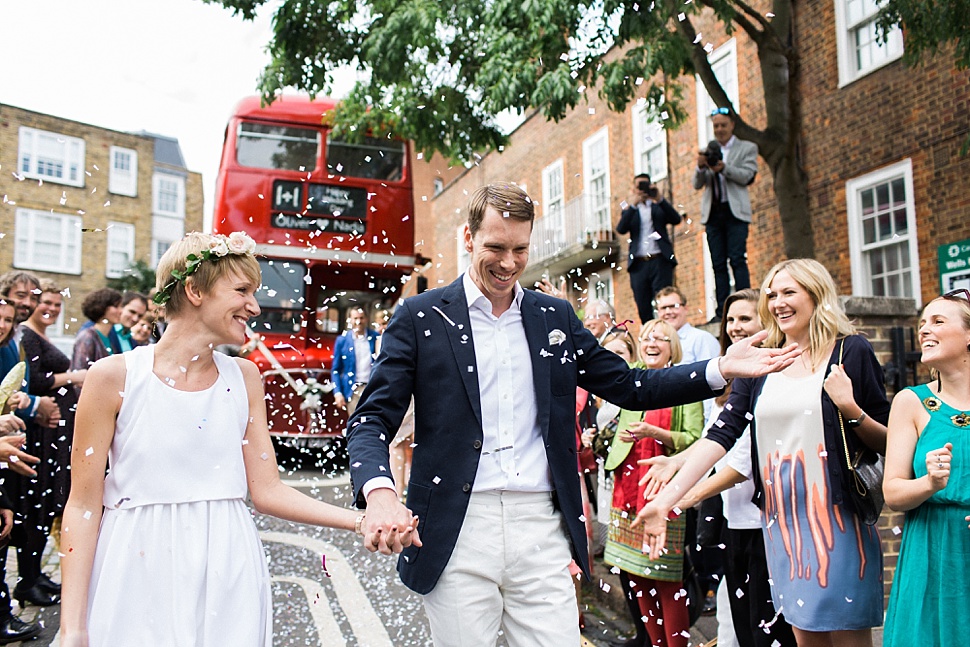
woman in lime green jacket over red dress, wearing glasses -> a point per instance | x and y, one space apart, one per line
656 583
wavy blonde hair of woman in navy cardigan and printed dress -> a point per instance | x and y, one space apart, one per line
828 322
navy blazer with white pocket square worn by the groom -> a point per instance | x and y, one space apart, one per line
428 351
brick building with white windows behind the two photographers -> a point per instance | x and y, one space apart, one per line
879 143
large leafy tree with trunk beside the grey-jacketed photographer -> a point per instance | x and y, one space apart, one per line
438 71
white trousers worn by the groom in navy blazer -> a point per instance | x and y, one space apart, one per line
509 571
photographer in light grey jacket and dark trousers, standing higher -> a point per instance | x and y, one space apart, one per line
725 169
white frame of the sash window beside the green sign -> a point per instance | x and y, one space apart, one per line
861 281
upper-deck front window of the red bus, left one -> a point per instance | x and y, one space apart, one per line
277 147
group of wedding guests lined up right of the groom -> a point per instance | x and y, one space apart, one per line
799 564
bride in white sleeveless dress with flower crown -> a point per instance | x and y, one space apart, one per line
164 550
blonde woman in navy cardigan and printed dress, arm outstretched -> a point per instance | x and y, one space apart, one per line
825 563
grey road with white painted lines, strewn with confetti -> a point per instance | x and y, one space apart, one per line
359 600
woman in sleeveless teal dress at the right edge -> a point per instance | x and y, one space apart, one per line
928 476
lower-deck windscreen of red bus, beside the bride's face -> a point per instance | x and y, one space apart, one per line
280 297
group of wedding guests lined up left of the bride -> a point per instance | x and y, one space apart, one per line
39 411
